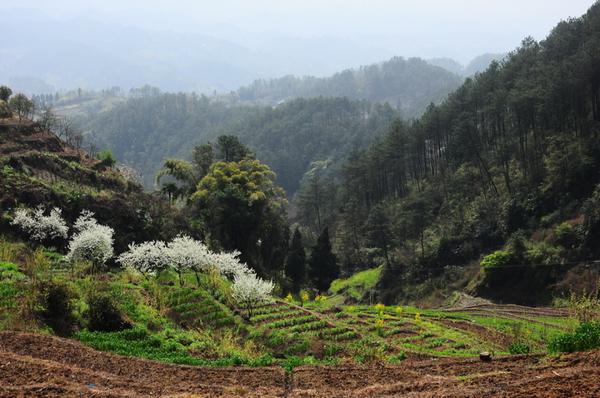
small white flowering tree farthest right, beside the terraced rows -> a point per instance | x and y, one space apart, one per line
251 291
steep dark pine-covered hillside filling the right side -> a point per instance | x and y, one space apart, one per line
506 168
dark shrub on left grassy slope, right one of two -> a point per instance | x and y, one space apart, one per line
103 315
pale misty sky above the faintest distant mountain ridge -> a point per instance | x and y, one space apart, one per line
460 29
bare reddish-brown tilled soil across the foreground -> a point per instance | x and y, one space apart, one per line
33 365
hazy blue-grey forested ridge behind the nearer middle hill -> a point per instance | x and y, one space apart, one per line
409 84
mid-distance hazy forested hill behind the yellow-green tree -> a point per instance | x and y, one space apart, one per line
144 131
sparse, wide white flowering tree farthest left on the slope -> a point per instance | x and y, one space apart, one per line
41 227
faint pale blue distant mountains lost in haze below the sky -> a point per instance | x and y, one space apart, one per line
64 54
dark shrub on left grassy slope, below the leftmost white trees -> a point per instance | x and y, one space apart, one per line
57 303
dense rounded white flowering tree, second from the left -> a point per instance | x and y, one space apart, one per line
92 242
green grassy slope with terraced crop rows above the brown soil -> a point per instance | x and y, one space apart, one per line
198 326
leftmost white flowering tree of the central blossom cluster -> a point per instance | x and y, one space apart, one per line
147 258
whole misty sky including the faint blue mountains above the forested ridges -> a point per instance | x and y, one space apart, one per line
202 46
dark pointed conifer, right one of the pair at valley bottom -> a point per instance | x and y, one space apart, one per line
322 266
